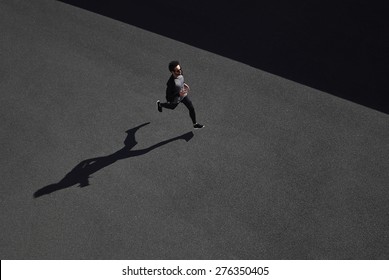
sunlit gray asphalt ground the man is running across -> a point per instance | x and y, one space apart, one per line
281 171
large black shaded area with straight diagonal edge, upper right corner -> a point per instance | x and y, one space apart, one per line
339 47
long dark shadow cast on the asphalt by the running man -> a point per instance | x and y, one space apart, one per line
81 172
